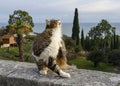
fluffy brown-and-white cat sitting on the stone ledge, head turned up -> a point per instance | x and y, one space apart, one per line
47 47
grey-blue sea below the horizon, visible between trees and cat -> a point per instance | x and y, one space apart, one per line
67 27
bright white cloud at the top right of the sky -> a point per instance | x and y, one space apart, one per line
100 6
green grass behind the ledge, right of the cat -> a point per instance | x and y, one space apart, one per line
82 63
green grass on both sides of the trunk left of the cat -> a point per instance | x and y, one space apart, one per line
12 54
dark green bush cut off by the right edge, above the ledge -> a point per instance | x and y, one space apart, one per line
114 57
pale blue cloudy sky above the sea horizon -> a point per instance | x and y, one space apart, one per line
40 10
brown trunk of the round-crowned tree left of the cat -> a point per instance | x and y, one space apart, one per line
20 46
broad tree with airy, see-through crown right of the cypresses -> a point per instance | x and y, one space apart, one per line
102 34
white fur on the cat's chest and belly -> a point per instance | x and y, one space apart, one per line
52 48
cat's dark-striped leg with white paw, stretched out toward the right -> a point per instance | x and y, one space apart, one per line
55 68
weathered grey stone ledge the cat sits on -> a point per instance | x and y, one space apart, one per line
26 74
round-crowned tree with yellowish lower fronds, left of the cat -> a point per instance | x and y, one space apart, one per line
20 23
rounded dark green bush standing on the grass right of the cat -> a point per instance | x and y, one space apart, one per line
96 57
